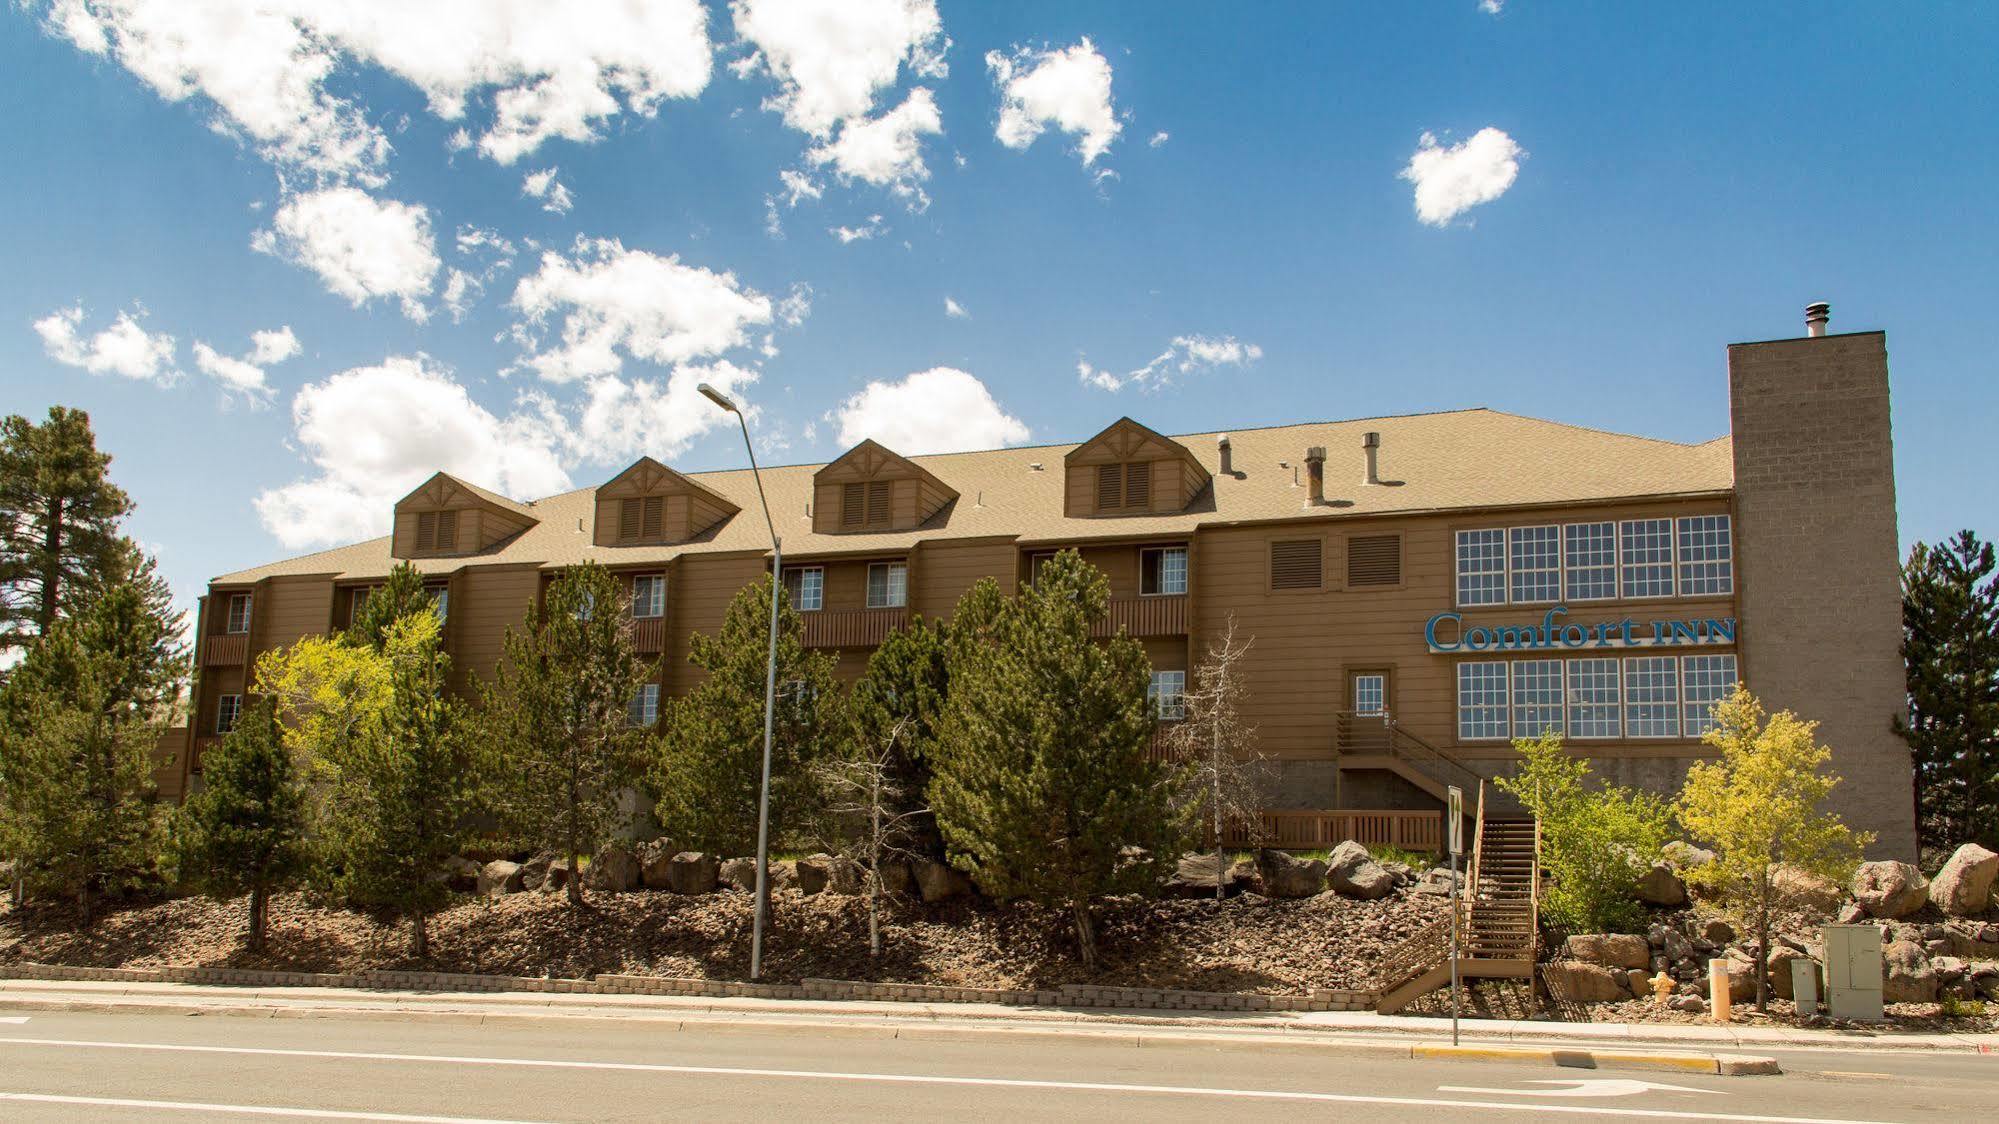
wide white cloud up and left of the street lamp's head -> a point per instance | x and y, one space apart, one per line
629 301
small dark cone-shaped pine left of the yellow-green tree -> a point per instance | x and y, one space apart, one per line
245 833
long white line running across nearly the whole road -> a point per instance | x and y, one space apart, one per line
933 1081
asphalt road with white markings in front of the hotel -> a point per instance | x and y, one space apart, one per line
157 1067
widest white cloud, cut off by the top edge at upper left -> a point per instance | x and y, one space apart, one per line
555 71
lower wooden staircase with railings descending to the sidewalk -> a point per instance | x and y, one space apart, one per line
1494 915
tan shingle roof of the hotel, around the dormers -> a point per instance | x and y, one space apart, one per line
1450 461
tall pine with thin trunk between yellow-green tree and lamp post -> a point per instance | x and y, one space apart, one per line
561 705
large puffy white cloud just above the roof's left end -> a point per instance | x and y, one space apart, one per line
375 433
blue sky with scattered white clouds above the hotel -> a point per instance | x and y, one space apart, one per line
1656 183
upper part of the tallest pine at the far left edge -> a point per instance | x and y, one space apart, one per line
59 521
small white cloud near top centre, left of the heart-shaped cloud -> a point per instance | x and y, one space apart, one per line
1068 89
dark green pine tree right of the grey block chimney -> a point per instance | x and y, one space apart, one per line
1950 621
